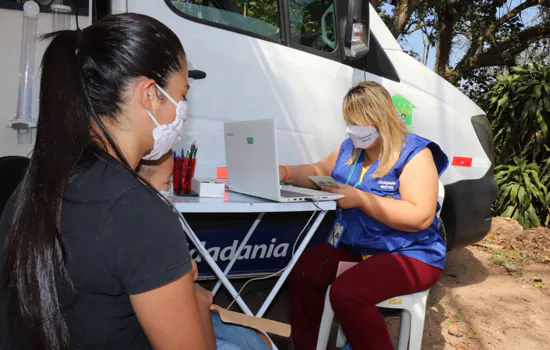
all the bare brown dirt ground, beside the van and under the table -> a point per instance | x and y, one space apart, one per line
490 296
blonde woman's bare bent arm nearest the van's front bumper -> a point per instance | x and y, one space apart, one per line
418 188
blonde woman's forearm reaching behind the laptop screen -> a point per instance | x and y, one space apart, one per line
299 174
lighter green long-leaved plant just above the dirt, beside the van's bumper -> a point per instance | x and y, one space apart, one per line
523 193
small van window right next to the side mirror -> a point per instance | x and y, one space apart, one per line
313 24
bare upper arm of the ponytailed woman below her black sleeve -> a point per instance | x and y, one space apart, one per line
171 317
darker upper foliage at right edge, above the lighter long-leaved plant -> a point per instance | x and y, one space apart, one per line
518 106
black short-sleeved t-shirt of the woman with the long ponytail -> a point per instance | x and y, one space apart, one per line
121 239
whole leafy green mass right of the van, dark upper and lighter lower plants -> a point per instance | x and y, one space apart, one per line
518 105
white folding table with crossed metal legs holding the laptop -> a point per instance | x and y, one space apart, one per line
240 203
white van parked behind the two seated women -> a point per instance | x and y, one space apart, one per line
294 60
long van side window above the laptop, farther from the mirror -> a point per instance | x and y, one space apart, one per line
259 18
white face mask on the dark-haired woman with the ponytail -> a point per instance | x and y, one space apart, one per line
167 135
